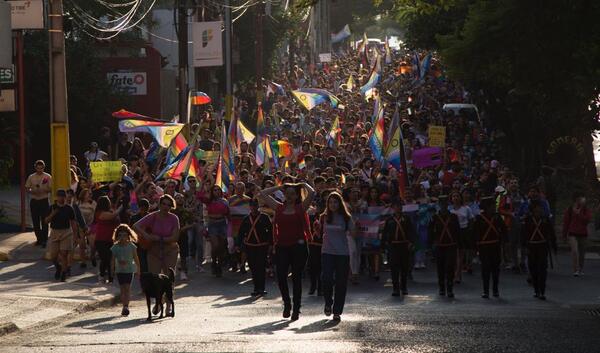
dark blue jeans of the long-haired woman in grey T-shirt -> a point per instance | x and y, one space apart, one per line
335 274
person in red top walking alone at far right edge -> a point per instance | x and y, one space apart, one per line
575 222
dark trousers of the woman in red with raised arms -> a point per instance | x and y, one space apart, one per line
293 256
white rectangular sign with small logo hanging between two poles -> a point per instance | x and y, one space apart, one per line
207 43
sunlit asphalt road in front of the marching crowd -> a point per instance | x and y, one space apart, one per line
217 315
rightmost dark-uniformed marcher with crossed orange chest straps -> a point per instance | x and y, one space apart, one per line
537 235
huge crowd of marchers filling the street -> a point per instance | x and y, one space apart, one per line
329 212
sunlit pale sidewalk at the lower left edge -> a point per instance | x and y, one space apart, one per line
31 296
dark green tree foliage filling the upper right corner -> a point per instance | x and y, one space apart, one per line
534 68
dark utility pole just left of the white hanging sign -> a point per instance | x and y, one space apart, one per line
182 37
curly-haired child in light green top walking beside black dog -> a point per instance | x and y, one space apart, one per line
125 262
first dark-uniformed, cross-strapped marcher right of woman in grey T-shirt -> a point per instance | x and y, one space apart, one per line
398 235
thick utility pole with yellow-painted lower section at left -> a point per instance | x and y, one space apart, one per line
59 127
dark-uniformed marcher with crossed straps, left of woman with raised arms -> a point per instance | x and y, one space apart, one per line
255 237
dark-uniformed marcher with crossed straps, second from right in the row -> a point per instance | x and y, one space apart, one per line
490 233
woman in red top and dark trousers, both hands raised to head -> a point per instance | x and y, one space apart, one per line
291 232
